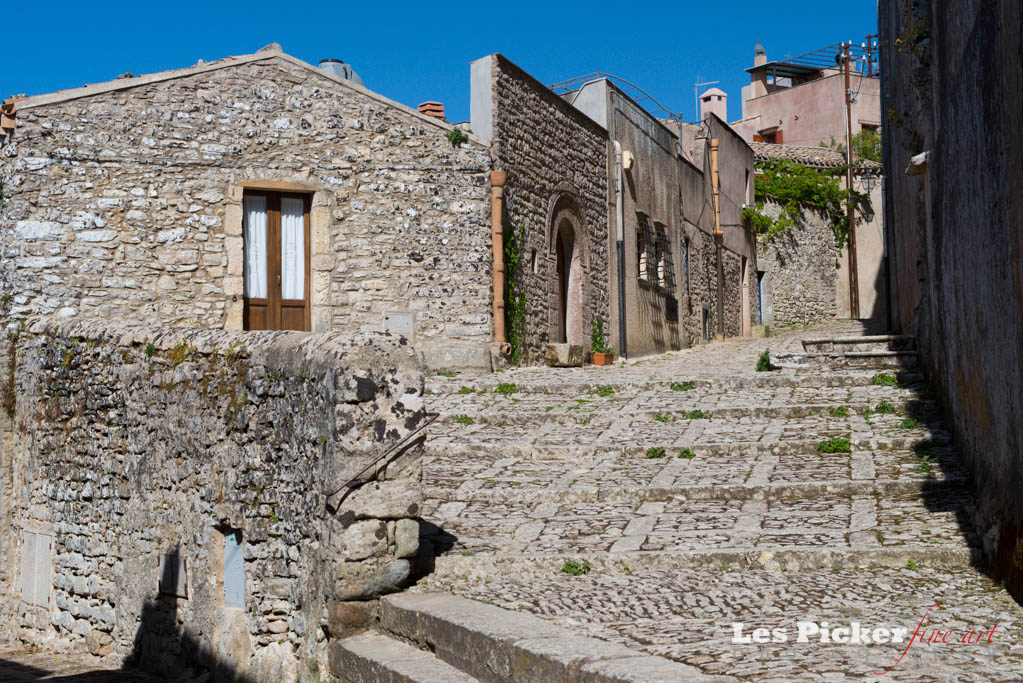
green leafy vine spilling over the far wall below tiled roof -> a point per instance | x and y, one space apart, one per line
798 188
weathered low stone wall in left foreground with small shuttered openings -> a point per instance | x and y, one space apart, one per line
128 443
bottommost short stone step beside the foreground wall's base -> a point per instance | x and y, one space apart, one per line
373 658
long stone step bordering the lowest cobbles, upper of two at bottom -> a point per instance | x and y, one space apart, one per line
496 645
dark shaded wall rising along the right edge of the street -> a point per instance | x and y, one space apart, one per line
954 88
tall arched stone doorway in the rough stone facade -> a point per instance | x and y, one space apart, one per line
568 279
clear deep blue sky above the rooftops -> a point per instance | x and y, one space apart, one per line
413 53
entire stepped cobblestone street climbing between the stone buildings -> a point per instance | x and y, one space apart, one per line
657 504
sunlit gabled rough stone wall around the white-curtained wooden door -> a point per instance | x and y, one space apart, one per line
116 204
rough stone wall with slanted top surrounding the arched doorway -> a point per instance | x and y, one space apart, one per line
549 149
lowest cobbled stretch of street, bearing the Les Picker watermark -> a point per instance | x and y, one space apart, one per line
688 616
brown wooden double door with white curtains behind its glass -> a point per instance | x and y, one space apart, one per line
277 258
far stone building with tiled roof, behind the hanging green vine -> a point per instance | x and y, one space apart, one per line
804 278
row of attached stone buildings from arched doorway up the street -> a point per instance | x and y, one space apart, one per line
566 160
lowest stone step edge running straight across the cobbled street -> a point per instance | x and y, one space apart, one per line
778 559
